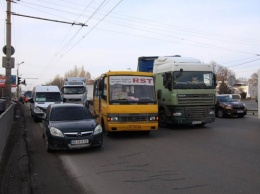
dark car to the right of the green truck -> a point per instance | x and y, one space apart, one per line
226 106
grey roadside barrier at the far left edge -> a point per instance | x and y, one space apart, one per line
6 122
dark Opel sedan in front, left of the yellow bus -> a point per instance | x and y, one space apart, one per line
70 126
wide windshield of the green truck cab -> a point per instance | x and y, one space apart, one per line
193 80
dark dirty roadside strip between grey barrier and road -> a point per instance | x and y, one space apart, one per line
14 166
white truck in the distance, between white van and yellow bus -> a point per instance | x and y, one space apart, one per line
74 90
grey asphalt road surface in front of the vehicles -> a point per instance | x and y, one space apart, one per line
221 157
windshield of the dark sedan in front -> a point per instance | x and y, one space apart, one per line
70 113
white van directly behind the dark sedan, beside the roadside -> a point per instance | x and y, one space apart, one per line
42 97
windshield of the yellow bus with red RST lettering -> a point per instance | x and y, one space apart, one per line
131 89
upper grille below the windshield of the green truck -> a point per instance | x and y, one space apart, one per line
196 99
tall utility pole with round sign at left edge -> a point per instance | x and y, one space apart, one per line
8 65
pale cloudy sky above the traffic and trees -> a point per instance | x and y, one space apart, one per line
117 32
